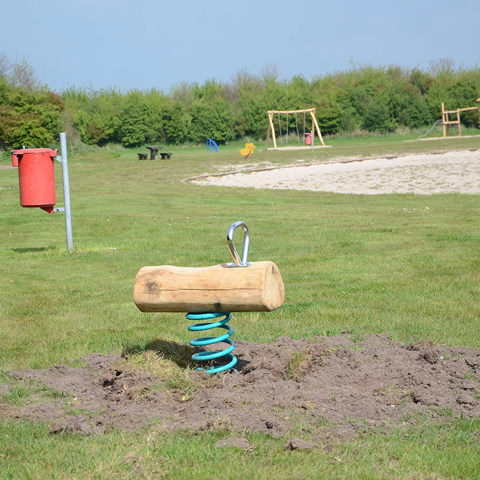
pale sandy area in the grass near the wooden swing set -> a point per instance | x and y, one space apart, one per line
442 172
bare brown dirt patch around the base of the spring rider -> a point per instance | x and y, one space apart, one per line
339 384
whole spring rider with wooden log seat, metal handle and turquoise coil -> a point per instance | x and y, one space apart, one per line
210 294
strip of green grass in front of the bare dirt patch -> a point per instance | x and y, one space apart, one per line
424 452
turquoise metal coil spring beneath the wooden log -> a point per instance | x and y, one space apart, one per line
208 325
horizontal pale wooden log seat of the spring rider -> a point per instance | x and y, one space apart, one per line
221 288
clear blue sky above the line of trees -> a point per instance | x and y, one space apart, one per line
153 43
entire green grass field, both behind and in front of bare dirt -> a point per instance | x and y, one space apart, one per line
402 264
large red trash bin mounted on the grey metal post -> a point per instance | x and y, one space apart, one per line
36 174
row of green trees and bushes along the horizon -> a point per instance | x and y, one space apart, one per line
368 98
